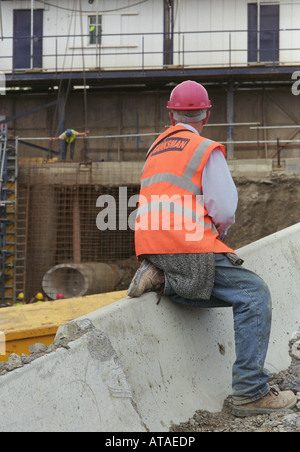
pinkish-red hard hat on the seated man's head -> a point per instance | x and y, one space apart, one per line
189 95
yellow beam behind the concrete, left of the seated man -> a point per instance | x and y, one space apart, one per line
22 326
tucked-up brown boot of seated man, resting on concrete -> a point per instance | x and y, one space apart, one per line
147 279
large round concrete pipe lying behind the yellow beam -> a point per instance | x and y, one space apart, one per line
77 280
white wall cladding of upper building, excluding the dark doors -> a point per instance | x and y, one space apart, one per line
210 33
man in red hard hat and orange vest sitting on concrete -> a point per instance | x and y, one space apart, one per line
187 204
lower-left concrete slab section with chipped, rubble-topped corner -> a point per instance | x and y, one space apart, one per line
83 389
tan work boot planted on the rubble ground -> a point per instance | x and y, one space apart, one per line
274 401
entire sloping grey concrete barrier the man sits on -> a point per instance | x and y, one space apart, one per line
143 366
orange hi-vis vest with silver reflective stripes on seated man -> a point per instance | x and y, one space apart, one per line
171 217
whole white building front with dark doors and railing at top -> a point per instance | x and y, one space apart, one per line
122 35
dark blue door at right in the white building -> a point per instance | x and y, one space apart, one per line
263 33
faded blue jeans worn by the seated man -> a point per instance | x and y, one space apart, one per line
251 302
